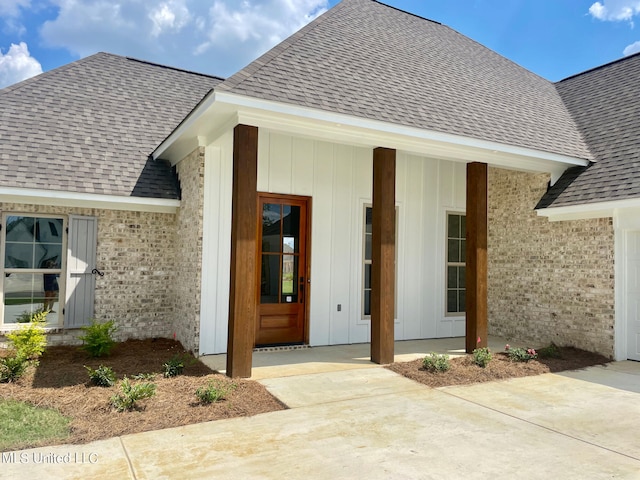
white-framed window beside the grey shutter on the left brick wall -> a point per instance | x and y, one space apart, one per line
33 248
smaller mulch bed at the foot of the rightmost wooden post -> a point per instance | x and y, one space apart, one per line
464 371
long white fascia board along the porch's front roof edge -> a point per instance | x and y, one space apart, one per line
273 114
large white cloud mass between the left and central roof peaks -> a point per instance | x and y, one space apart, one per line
212 36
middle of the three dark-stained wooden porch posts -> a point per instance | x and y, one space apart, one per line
383 255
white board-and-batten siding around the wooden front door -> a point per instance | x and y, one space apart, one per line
339 180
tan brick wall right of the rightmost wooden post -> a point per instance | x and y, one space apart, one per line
548 281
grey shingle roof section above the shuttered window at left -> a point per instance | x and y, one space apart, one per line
90 126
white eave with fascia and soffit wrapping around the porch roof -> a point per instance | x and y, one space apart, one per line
223 110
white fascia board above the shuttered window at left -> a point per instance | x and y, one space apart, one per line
87 200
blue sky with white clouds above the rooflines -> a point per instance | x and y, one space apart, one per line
553 38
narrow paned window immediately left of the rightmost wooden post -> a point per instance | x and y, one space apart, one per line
456 257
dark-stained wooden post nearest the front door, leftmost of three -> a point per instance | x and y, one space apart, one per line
242 294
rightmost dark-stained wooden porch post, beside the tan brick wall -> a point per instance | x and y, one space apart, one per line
476 273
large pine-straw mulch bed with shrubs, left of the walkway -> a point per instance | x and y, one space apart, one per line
61 382
